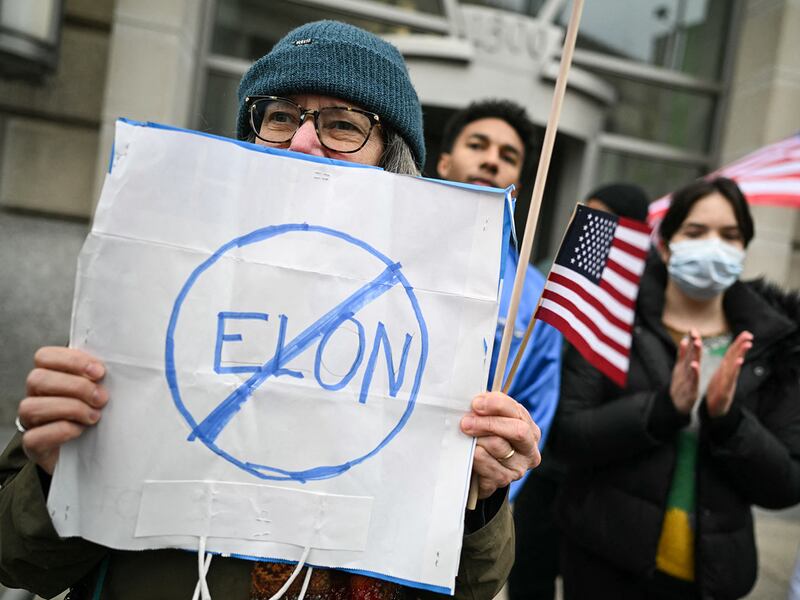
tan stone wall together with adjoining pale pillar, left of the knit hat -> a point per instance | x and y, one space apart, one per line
55 134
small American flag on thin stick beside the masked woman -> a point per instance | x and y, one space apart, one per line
590 293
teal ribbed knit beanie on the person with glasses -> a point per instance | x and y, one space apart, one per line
336 59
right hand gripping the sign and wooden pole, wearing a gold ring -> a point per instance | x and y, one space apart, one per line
508 441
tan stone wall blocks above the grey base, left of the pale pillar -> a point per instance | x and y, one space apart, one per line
49 130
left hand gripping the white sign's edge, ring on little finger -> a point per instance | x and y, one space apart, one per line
64 396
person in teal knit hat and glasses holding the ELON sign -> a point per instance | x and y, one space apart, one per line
326 89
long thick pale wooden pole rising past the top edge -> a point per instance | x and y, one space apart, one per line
533 212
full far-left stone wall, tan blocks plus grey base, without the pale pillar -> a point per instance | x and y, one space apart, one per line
49 133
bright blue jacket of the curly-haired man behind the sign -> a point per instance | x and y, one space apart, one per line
538 378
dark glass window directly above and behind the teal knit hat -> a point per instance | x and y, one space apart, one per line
249 28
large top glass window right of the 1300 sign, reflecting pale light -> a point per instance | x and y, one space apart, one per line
683 35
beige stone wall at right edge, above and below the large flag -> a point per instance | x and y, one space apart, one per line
764 107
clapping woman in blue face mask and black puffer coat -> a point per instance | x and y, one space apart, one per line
663 473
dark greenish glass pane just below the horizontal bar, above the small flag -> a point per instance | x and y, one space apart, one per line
678 118
